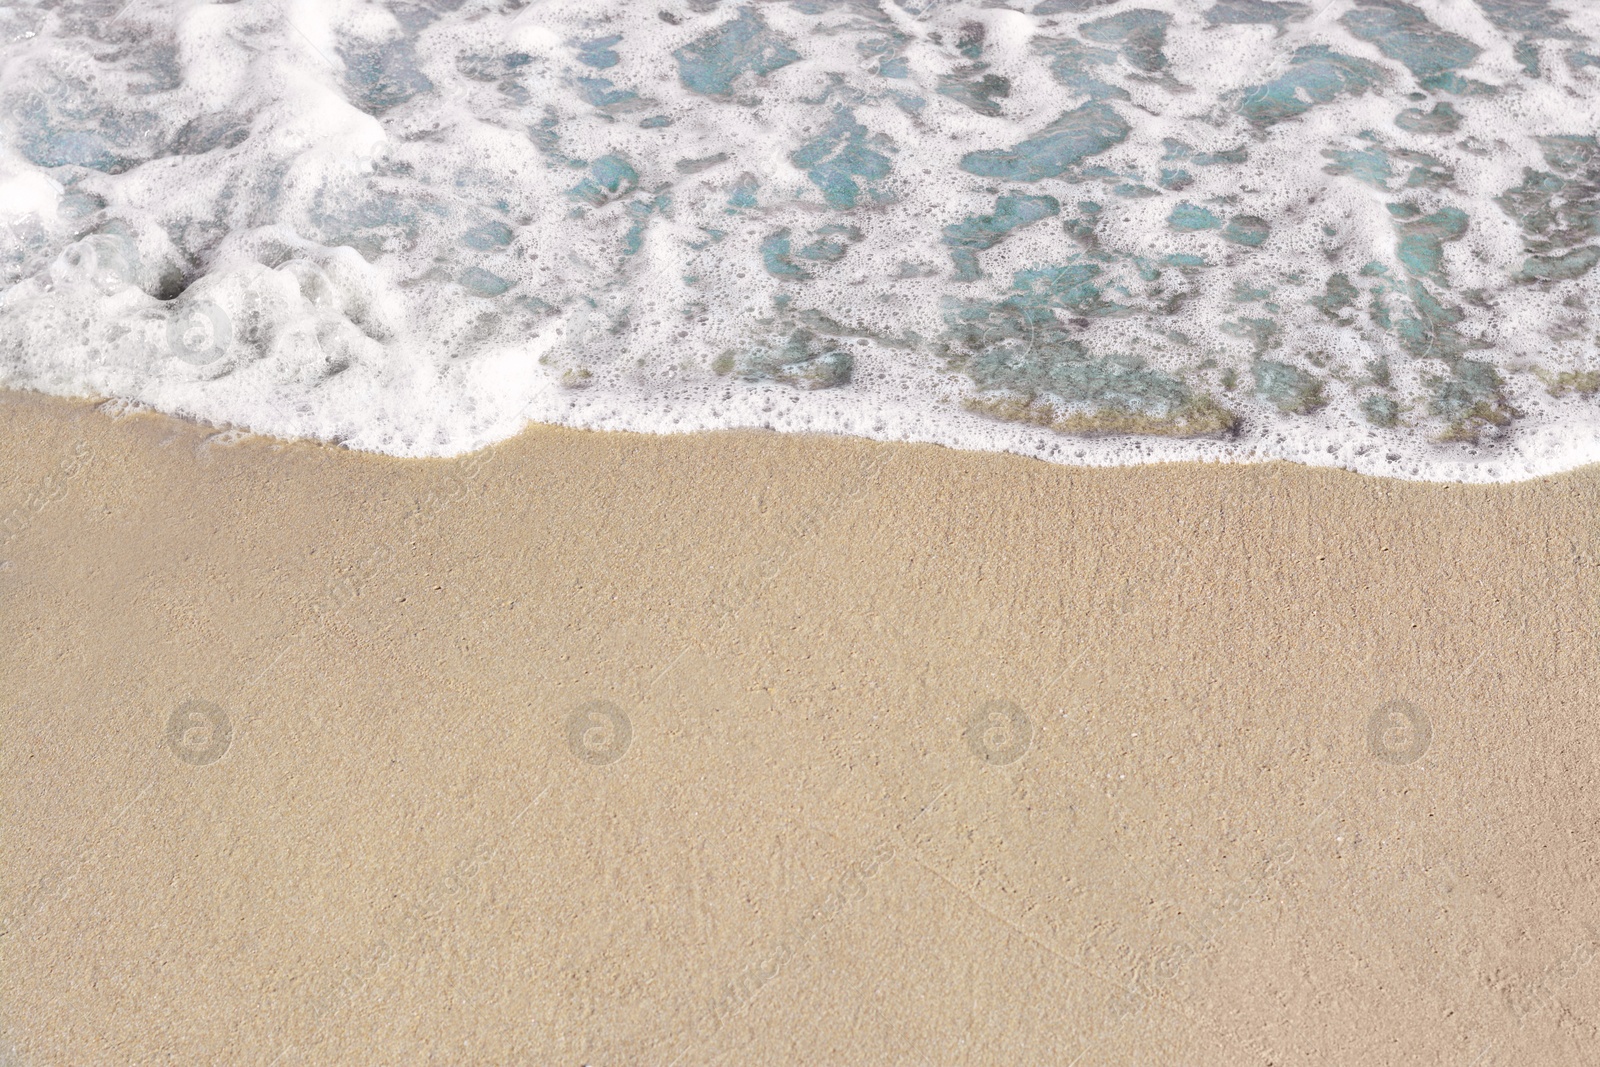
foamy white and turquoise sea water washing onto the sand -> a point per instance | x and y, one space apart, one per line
1343 233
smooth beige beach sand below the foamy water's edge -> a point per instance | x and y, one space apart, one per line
774 834
